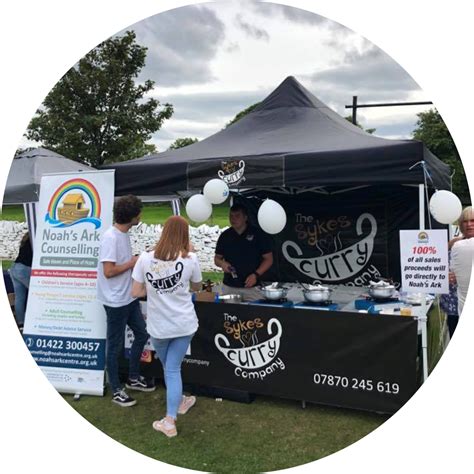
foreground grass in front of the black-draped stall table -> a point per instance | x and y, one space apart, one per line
231 437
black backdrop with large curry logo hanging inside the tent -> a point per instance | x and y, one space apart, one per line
346 238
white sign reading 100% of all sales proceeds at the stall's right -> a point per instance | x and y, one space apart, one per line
424 261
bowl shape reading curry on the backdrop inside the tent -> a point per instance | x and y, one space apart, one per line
337 266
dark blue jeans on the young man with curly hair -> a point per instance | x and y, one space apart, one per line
117 320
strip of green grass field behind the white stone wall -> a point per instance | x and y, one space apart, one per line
153 213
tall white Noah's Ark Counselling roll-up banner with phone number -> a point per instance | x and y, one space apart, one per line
65 325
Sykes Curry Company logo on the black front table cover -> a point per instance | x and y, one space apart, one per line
252 358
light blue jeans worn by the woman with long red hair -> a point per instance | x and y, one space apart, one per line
171 353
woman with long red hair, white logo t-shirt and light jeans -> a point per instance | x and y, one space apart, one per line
165 276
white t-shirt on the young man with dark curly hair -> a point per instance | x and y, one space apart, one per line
115 247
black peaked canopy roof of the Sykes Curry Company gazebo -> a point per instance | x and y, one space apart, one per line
291 139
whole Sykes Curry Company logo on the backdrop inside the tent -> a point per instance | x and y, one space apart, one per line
335 262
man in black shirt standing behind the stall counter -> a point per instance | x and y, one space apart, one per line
244 254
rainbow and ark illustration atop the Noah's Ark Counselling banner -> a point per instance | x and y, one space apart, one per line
76 201
